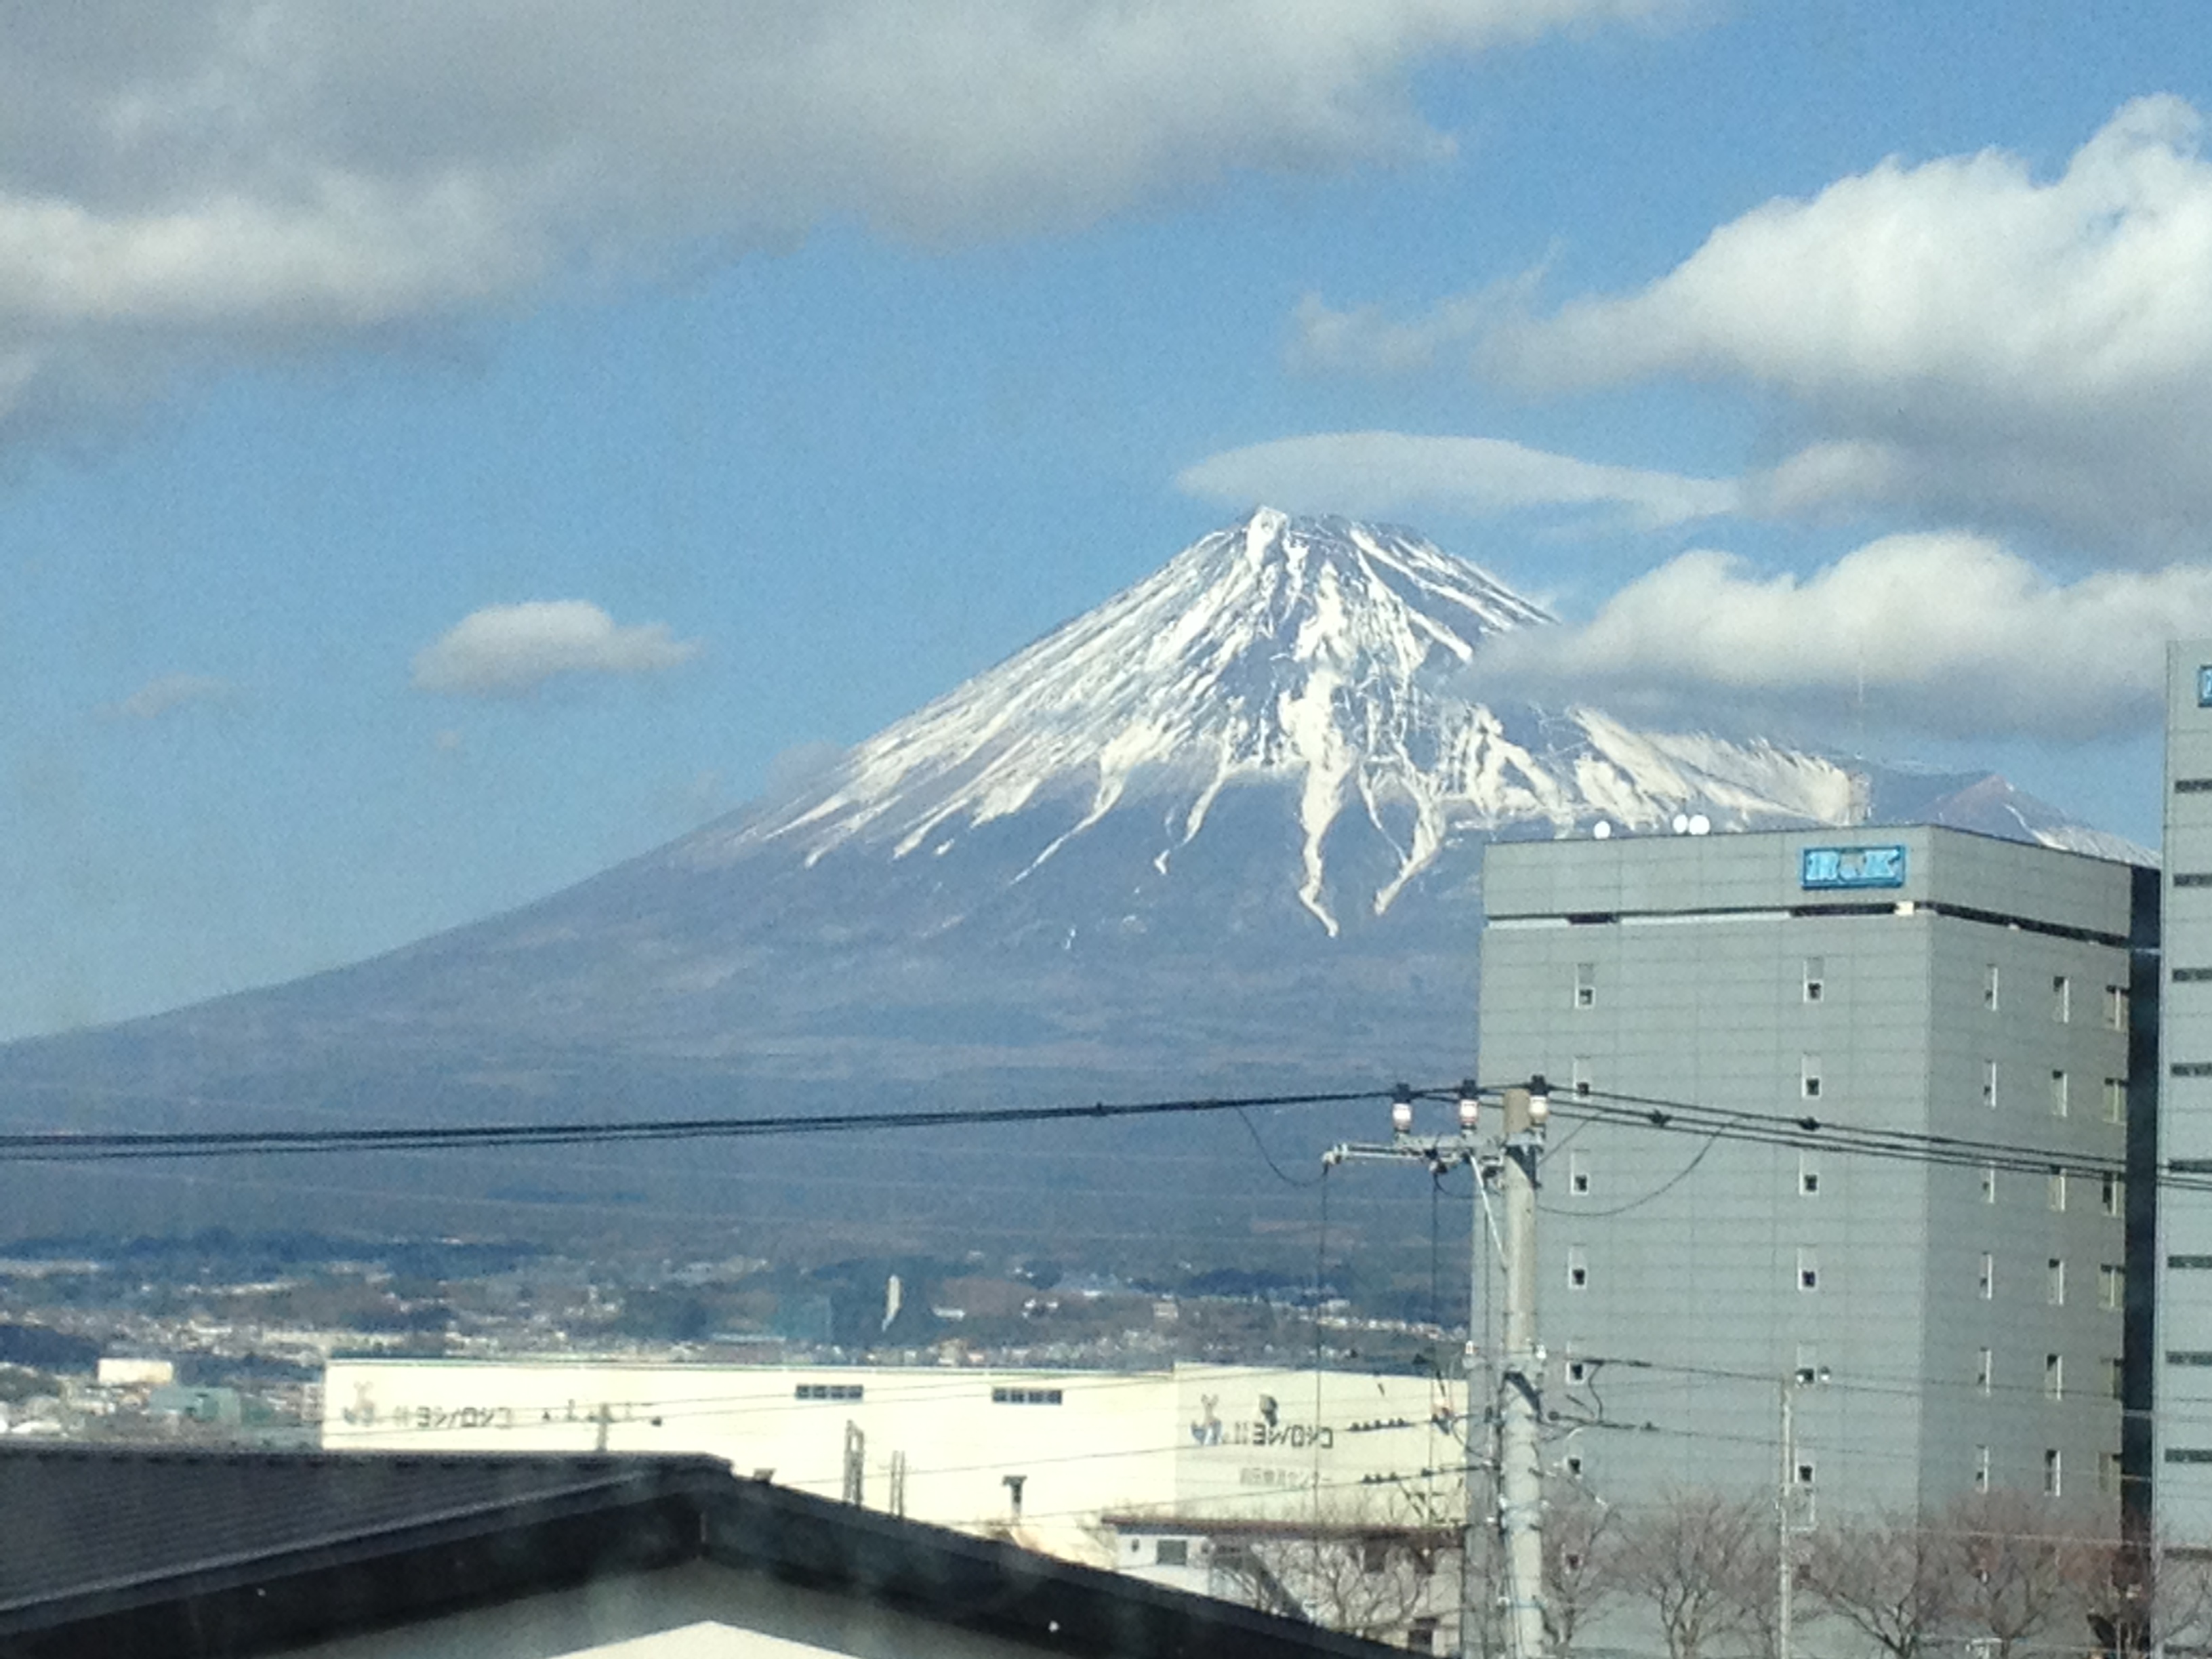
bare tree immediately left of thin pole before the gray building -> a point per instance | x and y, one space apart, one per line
1695 1561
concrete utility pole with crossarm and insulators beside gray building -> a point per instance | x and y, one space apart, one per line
1521 1516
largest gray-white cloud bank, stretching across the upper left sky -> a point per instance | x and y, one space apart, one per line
196 180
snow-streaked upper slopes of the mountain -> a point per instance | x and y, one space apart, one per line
1315 654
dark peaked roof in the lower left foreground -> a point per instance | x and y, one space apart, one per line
231 1554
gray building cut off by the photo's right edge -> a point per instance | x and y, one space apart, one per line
2182 1434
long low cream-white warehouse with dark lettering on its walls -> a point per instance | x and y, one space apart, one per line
1036 1457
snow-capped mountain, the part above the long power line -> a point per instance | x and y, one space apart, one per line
1218 835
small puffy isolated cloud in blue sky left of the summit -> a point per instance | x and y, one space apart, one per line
512 649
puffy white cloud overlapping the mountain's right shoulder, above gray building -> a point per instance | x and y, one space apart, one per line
1934 634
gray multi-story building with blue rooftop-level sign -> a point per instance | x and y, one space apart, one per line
1941 1326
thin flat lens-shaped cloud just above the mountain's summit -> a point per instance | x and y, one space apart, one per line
1392 472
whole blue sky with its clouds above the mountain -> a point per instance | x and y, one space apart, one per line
446 455
